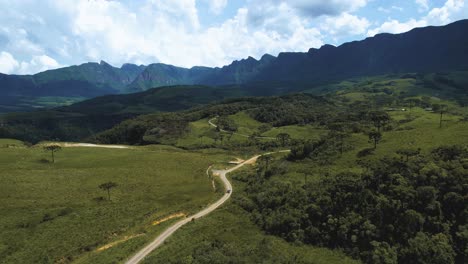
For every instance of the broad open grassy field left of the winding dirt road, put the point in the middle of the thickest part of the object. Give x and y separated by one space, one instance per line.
56 212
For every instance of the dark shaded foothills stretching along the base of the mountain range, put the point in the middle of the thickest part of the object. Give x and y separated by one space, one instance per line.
84 119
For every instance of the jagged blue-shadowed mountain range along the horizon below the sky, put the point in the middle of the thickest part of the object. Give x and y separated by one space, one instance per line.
428 49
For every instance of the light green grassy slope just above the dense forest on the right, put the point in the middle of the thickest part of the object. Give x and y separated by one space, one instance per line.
419 129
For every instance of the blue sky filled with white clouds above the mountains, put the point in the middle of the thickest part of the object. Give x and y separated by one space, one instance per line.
37 35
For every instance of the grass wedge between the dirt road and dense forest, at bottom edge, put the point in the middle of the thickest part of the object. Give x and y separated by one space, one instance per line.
230 225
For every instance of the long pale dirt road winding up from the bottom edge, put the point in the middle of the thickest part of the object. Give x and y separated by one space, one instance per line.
168 232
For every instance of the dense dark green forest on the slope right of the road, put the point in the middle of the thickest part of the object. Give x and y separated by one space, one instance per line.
413 210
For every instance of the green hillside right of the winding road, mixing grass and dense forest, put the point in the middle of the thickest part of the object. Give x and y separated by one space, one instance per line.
377 169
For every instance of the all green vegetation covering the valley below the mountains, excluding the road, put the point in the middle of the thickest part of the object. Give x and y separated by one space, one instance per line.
377 171
